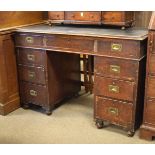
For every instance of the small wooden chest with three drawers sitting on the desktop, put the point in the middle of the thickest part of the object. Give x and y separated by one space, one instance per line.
116 18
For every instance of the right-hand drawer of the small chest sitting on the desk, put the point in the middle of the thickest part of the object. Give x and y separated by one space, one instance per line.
112 16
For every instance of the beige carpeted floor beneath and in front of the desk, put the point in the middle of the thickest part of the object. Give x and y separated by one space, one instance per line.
70 123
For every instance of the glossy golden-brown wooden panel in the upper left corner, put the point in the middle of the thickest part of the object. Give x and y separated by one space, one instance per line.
16 18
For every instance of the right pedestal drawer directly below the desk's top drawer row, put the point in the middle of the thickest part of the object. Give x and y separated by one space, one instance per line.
117 68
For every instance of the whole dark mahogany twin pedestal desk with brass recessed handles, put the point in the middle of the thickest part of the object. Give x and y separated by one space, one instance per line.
49 69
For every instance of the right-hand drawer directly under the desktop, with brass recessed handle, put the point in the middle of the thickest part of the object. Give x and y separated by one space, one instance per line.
119 48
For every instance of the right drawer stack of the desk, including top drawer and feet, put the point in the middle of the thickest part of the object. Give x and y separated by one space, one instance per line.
119 83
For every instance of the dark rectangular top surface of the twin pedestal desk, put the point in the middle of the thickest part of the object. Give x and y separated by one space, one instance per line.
128 33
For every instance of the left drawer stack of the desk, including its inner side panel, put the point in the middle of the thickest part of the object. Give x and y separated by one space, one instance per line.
45 78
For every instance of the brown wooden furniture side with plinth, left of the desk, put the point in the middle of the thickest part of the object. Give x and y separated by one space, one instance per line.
9 95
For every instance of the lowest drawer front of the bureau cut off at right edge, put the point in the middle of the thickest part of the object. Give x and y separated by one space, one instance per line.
150 112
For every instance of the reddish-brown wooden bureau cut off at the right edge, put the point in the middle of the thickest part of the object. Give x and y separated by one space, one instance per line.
147 130
